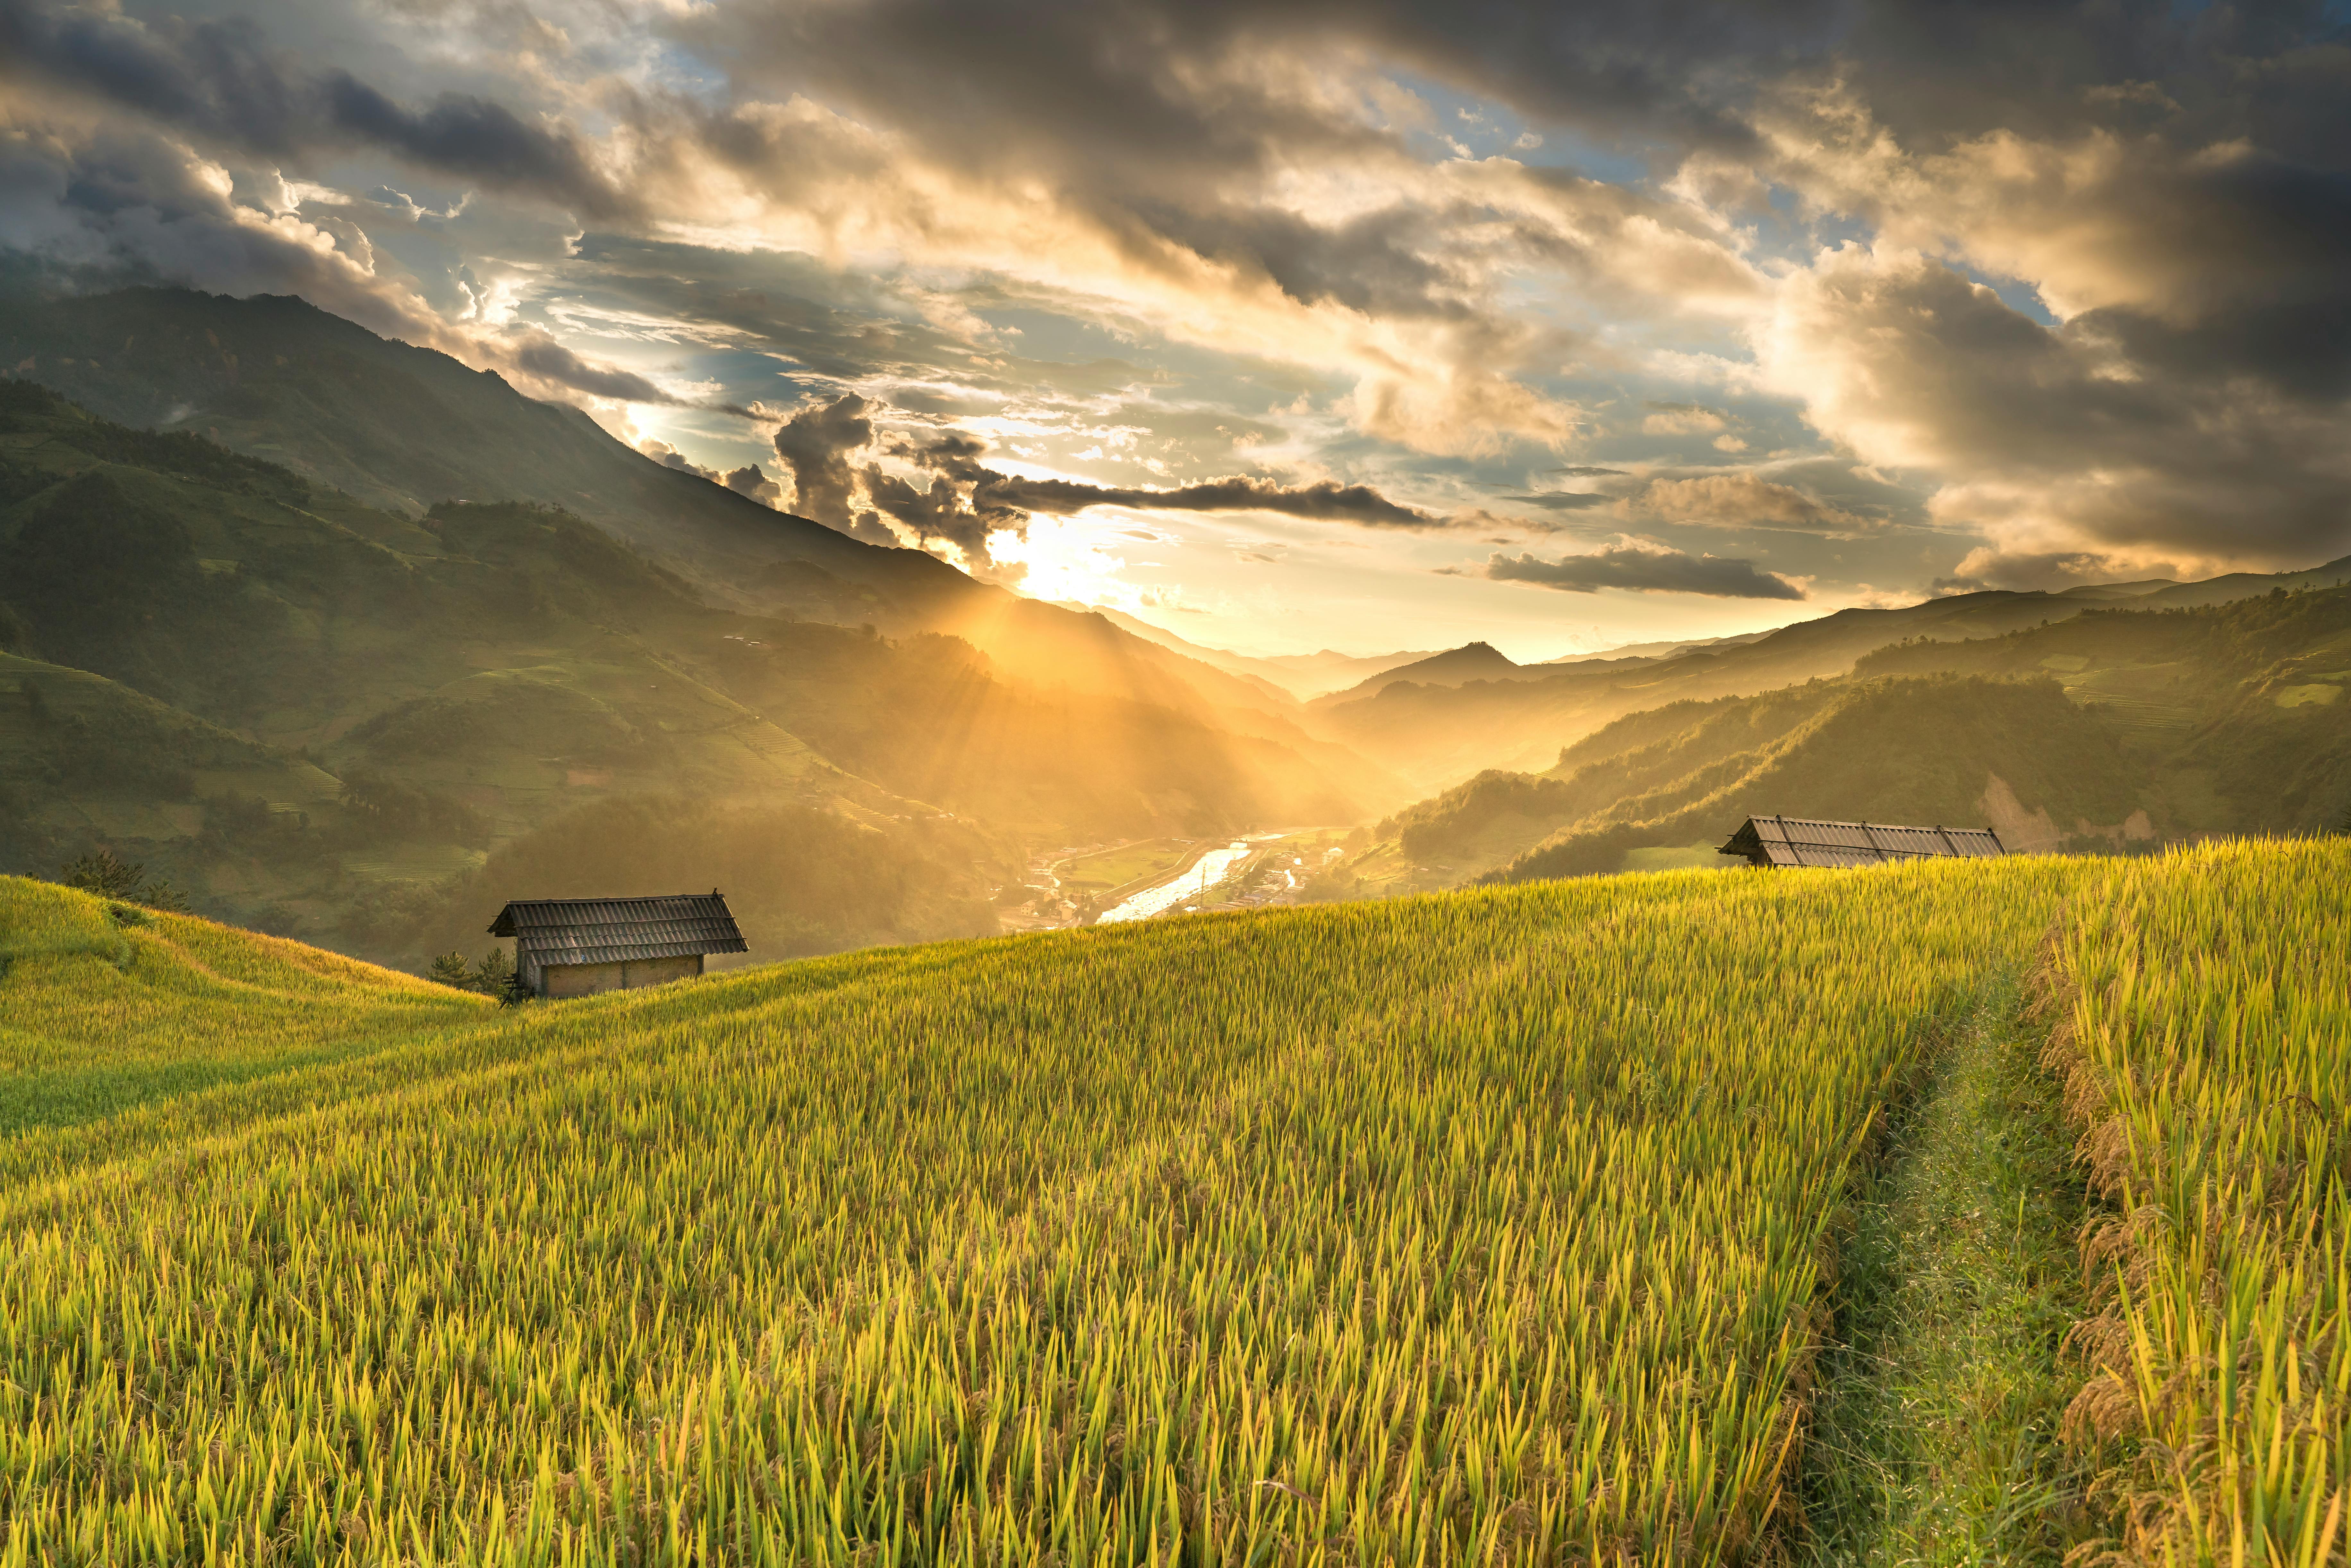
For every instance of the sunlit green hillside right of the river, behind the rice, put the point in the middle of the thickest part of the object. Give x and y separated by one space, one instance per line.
2176 723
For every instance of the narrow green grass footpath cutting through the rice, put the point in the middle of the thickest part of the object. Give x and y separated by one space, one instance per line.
1941 1402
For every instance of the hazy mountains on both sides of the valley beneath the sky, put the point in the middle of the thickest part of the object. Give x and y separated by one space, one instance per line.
354 643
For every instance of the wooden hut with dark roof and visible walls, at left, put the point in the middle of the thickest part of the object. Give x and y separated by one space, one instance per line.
584 946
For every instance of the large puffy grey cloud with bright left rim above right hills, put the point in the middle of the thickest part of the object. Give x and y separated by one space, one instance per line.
2058 438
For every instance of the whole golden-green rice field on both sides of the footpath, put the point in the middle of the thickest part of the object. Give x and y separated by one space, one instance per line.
1463 1228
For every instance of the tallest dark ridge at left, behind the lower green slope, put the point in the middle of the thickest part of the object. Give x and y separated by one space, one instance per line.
408 429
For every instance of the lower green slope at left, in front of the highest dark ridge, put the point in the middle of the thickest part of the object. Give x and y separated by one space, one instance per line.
417 692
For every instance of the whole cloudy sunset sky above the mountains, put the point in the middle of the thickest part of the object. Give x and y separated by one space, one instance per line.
1297 326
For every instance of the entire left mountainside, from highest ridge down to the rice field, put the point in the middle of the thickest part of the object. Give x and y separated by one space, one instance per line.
330 716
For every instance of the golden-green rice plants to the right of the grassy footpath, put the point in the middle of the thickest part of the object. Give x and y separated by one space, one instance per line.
2204 1026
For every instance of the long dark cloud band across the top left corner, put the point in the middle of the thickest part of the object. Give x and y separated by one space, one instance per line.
220 81
